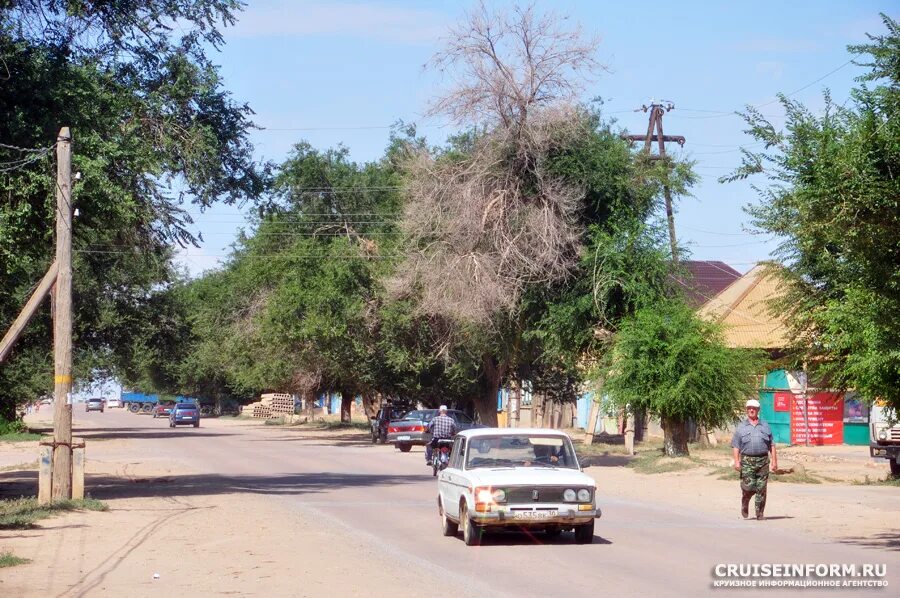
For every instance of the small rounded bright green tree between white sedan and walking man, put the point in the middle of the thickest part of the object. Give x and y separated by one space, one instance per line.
669 363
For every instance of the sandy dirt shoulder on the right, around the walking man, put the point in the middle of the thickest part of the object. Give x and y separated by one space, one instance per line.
827 492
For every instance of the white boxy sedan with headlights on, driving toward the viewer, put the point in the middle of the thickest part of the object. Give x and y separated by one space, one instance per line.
516 478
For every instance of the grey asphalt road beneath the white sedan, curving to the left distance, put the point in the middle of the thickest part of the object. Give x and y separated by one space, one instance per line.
387 499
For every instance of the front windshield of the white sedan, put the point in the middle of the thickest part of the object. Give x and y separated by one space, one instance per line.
520 450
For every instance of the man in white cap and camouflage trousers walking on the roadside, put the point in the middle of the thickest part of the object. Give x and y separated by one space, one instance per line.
752 444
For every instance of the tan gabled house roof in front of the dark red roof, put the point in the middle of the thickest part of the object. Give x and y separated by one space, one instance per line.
742 308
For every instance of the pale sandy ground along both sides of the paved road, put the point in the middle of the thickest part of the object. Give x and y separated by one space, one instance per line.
202 544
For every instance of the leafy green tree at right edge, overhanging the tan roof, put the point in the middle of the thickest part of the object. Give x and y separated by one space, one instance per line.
834 197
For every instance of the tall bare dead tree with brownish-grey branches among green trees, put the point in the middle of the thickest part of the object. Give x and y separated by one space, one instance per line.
483 227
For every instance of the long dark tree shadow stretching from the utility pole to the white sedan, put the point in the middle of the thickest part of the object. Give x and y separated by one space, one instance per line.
24 483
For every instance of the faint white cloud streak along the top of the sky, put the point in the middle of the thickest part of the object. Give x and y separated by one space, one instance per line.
403 25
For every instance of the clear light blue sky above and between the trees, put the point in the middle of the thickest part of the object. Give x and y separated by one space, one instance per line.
341 72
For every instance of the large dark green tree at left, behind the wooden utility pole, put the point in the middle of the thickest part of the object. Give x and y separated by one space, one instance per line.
152 129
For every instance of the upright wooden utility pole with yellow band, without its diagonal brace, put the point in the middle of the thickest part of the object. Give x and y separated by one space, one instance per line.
62 322
